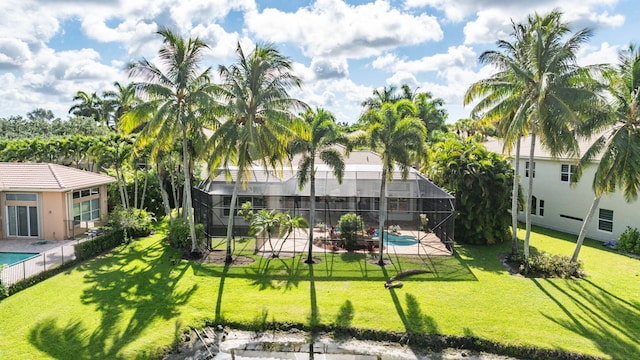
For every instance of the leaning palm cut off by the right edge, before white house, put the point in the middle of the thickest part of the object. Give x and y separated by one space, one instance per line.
619 145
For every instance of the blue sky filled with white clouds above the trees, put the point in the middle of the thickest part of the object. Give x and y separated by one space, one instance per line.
341 49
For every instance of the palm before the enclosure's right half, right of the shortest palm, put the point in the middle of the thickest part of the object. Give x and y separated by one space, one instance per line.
399 137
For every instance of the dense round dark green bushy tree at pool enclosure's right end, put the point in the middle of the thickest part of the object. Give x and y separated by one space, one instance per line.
482 183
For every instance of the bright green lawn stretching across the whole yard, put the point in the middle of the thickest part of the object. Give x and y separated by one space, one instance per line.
133 303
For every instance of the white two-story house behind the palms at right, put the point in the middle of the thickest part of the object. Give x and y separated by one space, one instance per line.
558 204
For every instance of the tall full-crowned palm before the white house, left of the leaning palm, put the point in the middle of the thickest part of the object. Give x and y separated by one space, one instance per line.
539 89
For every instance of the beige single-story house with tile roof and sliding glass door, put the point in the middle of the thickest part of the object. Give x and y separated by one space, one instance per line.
49 201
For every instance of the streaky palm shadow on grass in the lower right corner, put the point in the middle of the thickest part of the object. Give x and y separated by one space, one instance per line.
609 321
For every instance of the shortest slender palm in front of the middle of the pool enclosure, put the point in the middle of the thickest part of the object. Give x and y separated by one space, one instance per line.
323 134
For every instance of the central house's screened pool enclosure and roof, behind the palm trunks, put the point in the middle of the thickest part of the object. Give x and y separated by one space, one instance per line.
415 207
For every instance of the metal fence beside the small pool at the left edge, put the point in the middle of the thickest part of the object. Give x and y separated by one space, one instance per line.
37 264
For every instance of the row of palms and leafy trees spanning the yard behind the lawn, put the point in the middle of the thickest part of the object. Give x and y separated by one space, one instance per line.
175 117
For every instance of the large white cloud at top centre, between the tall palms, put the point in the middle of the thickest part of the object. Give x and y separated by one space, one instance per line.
334 28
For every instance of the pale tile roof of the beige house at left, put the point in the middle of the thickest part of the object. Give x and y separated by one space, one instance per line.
47 177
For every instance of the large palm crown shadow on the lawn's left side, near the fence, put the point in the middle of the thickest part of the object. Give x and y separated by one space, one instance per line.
132 280
